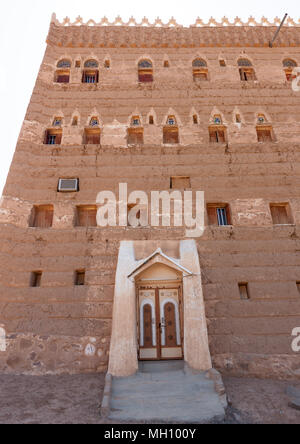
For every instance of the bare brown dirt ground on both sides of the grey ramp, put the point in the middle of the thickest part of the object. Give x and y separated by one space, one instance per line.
76 399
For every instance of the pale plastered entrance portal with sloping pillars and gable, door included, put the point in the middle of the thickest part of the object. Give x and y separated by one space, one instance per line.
159 311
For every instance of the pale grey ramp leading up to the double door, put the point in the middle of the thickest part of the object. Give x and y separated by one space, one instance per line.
166 392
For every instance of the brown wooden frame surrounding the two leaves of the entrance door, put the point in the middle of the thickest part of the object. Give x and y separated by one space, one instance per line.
156 286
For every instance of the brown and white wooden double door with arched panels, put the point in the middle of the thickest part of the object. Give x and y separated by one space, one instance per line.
160 323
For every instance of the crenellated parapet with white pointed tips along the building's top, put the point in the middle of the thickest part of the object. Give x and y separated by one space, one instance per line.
143 34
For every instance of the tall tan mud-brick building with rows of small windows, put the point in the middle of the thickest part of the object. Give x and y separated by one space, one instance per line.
207 107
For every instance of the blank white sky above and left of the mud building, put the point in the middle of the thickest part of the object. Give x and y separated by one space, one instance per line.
24 27
